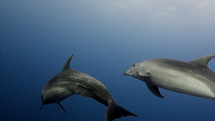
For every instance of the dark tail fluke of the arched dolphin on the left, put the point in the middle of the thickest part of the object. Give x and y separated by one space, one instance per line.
115 111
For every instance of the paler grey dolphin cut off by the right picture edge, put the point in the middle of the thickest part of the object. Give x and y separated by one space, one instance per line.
193 78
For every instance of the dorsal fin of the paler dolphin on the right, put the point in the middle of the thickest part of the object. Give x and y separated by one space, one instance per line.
203 61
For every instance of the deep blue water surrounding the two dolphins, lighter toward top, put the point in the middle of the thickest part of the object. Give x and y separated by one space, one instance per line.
106 37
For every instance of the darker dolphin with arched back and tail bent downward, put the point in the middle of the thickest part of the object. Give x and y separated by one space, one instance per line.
70 82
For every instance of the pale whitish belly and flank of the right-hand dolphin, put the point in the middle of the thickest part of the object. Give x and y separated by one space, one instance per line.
183 82
